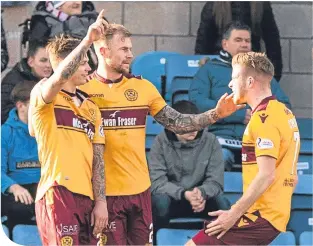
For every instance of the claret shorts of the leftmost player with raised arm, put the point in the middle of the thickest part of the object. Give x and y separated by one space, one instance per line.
63 218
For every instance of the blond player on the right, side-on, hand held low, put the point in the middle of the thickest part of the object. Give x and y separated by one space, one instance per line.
270 149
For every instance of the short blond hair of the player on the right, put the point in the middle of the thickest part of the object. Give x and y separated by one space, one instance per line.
259 62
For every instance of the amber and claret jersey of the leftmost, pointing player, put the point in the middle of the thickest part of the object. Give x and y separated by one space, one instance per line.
65 134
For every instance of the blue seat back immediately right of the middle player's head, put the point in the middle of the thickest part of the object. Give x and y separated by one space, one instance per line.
151 65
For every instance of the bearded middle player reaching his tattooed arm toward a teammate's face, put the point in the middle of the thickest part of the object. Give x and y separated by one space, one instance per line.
124 102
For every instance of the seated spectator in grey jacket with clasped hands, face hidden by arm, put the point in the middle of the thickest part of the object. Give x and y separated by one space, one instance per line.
187 174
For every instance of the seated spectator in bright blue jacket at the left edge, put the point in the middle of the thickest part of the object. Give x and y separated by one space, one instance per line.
20 168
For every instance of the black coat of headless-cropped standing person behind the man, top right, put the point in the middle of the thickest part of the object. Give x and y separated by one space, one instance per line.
209 42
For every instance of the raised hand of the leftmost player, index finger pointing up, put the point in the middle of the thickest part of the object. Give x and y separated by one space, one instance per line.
97 29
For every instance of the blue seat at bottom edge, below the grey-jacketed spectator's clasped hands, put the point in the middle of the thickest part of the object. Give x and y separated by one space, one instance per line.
174 236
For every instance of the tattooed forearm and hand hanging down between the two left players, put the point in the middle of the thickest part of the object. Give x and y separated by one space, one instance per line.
99 215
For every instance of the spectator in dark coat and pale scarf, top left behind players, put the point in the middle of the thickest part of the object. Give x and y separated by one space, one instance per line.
51 18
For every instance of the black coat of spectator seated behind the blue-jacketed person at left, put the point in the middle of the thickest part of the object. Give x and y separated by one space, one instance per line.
19 73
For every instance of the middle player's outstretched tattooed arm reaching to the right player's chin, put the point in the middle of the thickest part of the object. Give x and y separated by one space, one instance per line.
183 123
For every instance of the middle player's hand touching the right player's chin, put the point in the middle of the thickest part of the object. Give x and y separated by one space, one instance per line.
226 106
